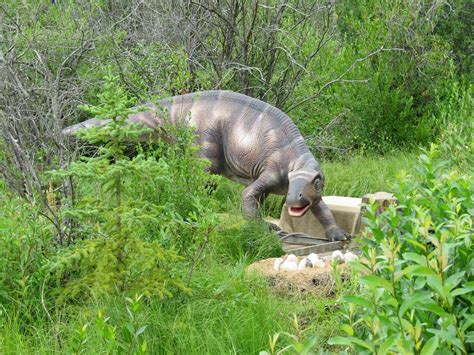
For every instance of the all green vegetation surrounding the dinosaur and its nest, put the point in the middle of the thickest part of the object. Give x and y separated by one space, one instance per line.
115 246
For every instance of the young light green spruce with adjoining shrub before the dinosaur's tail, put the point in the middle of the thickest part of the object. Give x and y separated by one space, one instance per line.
132 214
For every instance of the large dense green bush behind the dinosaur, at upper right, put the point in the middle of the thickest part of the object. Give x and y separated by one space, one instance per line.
387 100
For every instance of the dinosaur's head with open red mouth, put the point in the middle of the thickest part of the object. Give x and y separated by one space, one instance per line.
304 189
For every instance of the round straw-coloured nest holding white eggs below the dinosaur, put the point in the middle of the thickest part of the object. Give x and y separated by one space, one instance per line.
312 274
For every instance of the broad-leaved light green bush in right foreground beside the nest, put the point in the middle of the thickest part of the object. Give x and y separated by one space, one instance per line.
417 267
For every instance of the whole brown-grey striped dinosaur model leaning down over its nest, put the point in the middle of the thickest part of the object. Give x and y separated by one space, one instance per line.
250 142
